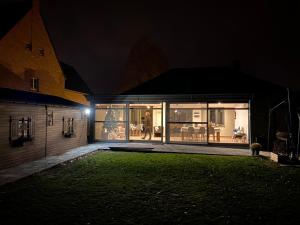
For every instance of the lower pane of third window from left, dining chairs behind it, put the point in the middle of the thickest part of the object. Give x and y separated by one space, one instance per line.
188 132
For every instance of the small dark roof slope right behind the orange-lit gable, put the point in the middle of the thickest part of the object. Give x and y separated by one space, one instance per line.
73 79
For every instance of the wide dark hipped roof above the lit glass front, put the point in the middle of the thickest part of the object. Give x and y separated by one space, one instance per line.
203 80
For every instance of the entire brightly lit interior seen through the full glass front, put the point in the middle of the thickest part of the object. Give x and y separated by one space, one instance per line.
173 123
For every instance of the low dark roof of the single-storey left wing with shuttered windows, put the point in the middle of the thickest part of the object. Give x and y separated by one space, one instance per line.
33 97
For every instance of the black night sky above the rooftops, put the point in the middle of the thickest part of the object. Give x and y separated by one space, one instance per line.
97 36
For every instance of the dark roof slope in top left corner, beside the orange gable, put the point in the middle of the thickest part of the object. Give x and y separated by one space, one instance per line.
11 13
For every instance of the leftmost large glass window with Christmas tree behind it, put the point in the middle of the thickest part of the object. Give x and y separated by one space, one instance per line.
110 122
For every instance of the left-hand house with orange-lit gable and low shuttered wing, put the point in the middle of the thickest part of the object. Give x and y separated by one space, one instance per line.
42 100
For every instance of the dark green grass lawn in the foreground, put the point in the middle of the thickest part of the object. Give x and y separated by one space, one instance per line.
153 188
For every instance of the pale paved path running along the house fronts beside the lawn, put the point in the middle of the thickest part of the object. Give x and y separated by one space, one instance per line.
27 169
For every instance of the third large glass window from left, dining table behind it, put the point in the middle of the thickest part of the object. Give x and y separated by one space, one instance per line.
188 122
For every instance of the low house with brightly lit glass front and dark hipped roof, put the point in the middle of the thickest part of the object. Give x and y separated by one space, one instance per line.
207 105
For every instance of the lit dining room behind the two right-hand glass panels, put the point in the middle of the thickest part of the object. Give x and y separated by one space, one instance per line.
209 123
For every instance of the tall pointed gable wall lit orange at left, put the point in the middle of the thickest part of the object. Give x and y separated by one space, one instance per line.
17 58
